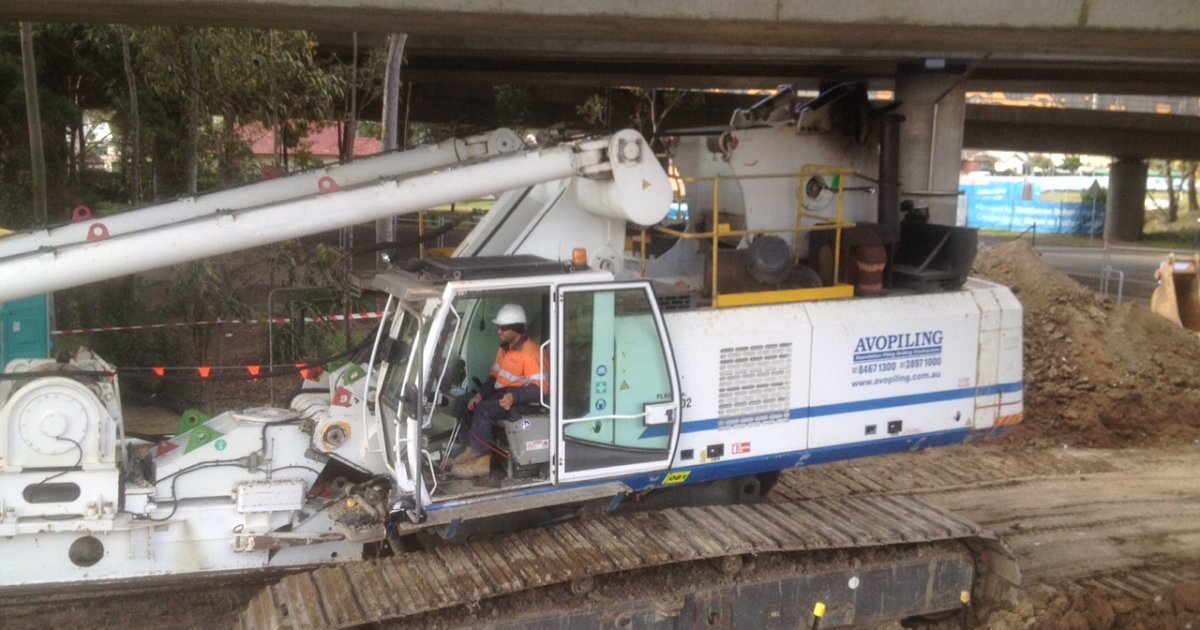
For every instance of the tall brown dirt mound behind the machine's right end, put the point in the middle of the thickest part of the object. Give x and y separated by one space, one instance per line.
1096 374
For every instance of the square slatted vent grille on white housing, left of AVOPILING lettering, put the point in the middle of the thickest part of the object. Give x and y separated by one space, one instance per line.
755 387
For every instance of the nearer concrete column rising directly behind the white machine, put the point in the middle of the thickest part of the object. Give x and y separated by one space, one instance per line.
934 106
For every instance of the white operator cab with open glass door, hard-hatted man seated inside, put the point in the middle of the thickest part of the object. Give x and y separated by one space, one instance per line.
614 395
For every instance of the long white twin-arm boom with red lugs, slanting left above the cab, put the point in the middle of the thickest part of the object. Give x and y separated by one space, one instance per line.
292 208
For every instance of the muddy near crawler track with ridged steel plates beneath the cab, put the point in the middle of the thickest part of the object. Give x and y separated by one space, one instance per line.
407 587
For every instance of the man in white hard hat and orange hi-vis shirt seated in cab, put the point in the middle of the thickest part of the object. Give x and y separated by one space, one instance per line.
515 380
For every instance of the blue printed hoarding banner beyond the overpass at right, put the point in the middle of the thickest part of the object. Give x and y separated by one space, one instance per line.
1016 206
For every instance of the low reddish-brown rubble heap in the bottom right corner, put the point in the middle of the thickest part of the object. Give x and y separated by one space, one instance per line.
1099 609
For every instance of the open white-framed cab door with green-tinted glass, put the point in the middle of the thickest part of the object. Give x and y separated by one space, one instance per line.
615 382
